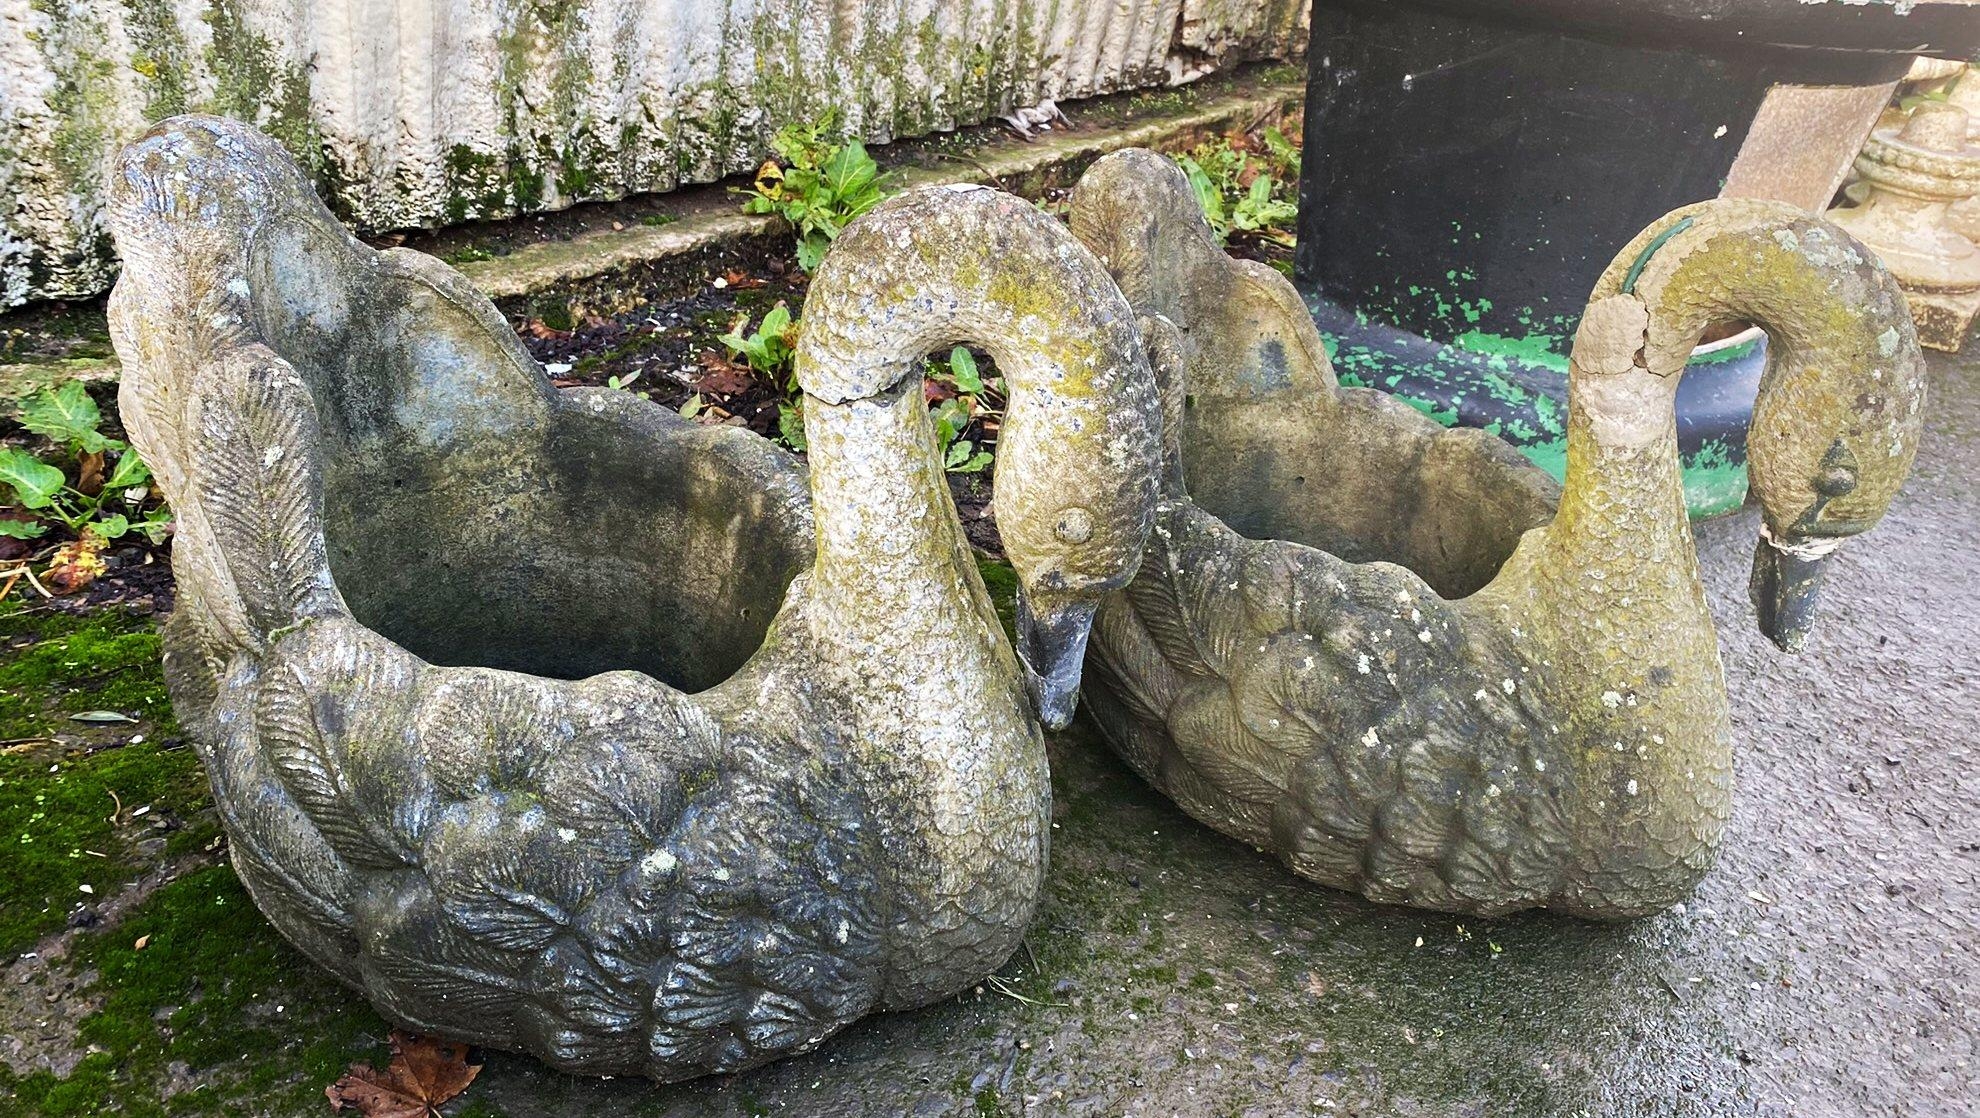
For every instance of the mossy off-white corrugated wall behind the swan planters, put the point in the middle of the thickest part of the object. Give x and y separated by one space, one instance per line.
443 112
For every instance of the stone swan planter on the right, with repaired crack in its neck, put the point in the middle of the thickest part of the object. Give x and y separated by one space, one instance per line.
1373 648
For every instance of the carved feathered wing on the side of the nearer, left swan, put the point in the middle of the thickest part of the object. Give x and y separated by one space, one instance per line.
593 872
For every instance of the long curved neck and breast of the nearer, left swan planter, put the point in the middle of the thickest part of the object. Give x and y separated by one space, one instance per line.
898 614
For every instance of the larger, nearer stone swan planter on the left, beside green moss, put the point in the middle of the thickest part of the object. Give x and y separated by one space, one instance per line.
510 713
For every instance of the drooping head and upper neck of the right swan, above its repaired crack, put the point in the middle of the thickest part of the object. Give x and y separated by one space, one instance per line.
1842 401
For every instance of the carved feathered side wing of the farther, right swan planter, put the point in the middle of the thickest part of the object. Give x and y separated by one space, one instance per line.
1337 713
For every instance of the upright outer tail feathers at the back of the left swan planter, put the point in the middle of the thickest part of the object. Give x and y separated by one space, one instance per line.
227 424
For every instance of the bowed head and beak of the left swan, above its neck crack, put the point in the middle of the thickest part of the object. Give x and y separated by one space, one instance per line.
1080 446
